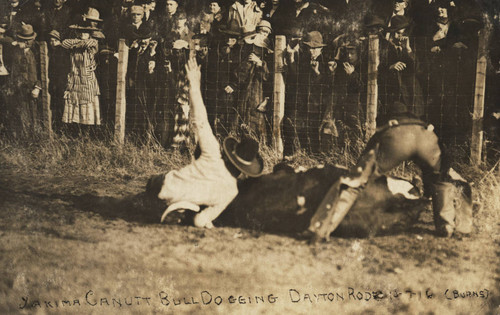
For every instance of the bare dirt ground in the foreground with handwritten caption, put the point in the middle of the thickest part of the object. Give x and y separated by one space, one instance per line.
85 245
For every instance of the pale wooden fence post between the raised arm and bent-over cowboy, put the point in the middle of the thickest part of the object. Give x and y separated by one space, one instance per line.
278 93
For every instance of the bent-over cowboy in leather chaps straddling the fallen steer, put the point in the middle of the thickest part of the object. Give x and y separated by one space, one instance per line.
401 137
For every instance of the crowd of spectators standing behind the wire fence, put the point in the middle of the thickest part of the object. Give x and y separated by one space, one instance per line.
427 53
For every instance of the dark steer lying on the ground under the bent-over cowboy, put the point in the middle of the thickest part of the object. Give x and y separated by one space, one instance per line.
285 201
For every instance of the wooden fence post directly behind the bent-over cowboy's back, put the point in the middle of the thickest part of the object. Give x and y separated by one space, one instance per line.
372 85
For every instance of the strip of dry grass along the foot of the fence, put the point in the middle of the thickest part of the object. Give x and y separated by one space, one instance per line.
104 157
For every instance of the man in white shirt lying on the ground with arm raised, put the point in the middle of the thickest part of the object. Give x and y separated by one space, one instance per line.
208 184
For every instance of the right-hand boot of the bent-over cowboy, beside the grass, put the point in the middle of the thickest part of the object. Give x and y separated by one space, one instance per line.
443 208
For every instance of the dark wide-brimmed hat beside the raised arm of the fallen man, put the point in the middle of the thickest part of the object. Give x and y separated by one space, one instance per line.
244 155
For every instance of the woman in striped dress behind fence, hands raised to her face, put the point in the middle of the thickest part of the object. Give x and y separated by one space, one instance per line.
82 91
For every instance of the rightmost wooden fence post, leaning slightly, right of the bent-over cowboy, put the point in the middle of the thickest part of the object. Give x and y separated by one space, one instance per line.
478 113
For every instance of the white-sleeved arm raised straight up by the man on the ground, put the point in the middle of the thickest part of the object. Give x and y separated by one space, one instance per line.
208 142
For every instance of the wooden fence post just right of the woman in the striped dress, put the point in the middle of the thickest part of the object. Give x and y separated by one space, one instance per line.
121 86
